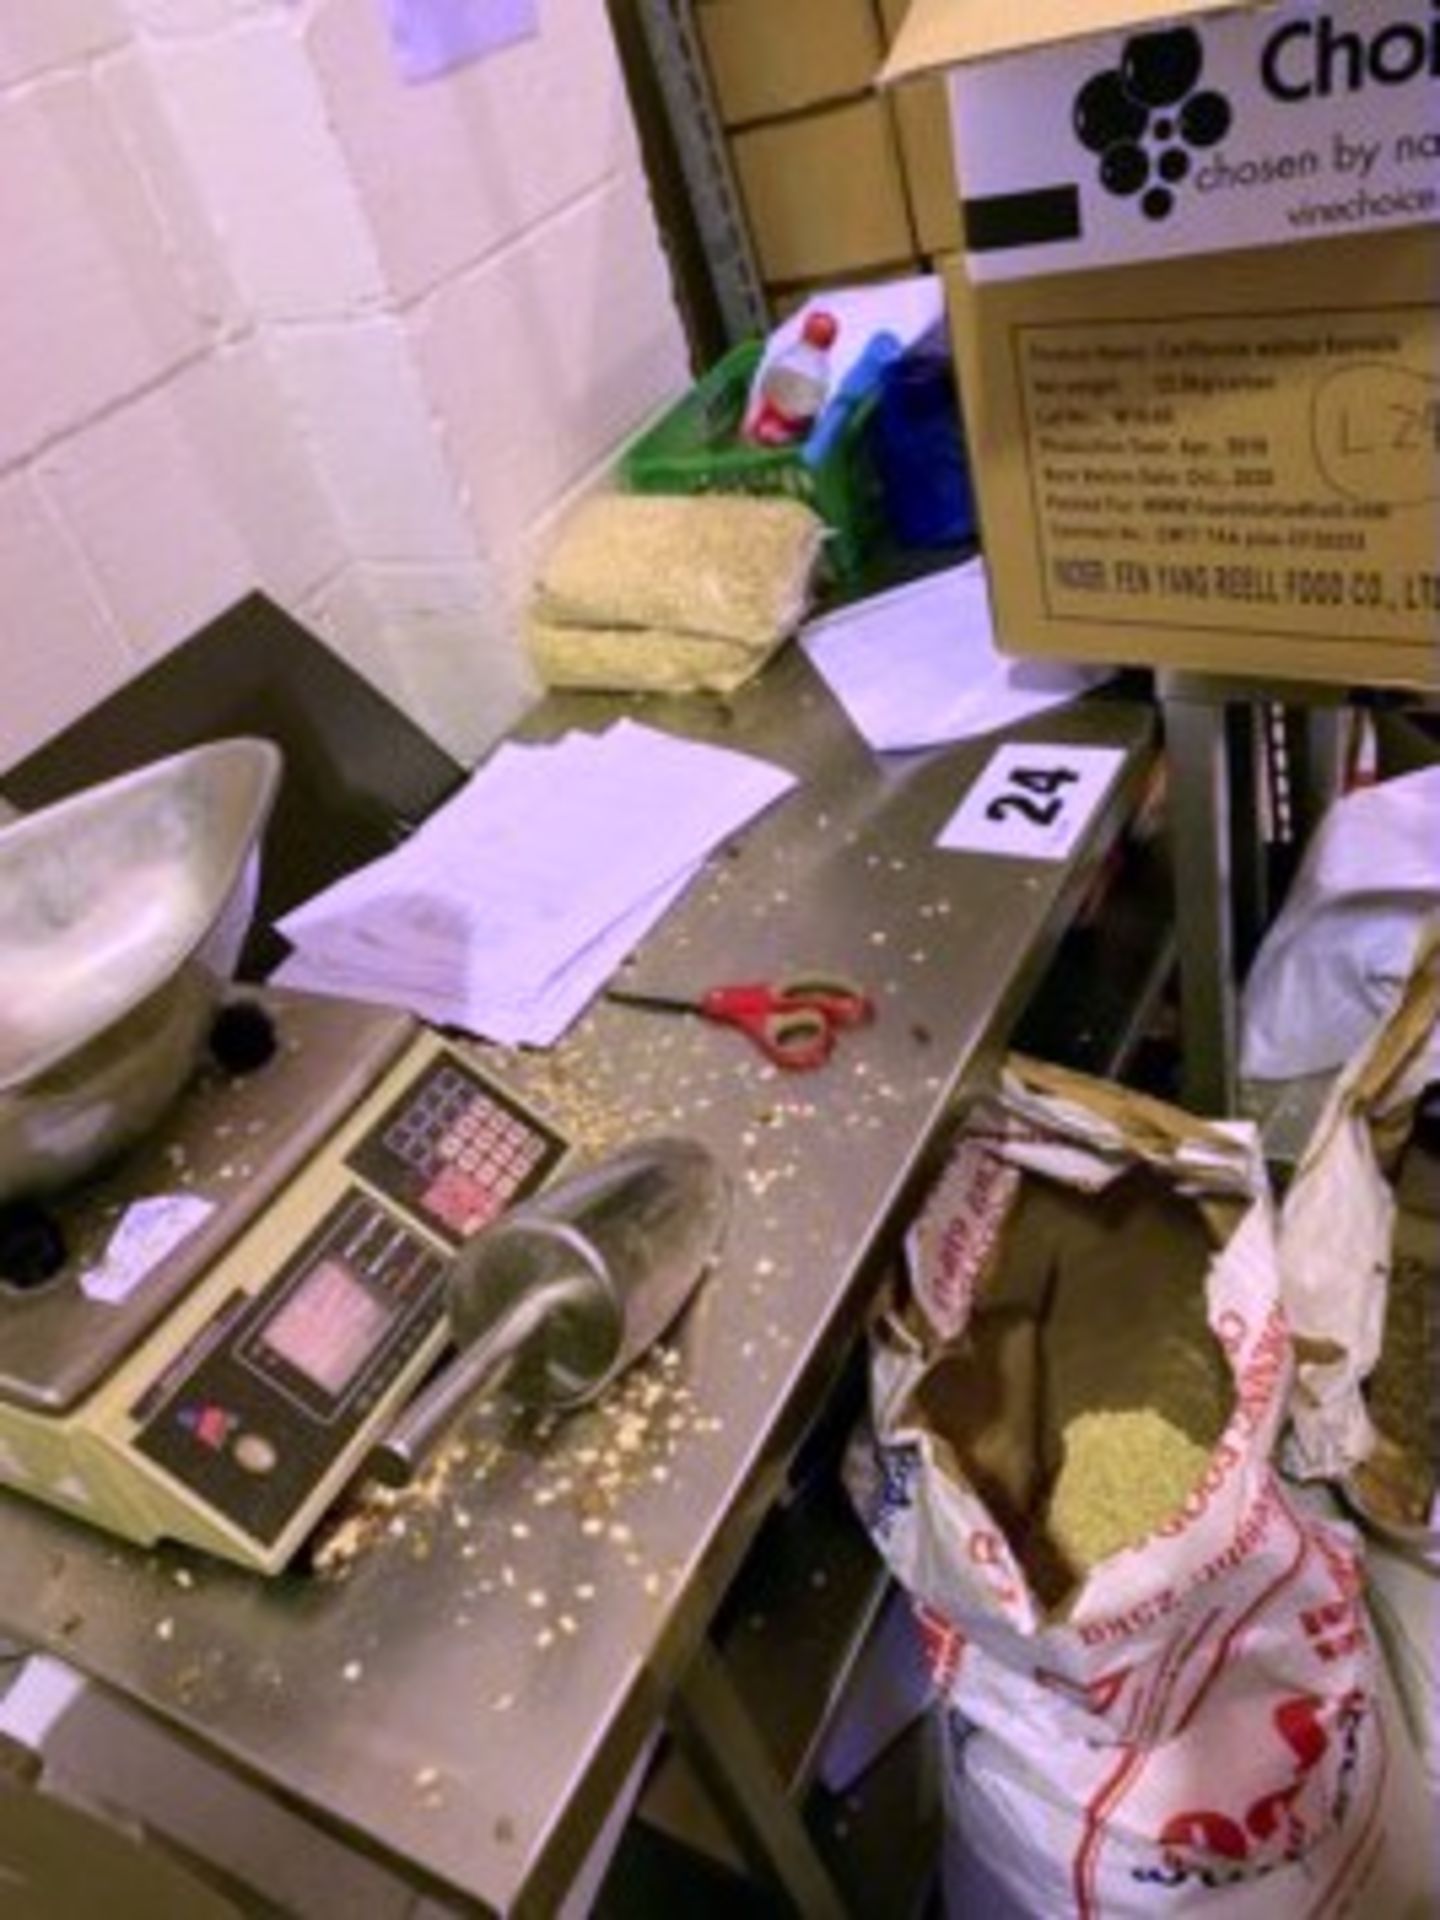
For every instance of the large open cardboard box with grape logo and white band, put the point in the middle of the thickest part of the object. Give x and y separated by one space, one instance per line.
1197 327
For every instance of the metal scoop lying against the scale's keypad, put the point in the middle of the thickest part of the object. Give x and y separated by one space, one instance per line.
565 1293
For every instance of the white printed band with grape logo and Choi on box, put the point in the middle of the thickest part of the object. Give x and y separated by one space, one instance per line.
1257 128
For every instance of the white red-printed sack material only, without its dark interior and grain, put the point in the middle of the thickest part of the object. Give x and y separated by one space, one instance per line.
1193 1727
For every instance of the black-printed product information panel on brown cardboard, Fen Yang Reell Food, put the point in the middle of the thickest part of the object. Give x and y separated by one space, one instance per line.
1272 473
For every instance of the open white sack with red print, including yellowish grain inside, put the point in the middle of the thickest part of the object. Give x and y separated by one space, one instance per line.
1155 1669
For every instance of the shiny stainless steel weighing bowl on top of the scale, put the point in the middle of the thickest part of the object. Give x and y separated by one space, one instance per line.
122 917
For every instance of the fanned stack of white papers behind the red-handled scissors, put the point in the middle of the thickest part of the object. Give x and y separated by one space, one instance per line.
519 898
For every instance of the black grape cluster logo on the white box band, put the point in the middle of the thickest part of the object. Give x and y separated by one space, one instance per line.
1147 118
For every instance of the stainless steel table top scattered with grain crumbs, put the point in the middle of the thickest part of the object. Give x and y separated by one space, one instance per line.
468 1691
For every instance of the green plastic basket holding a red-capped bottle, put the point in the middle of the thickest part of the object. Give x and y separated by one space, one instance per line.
696 448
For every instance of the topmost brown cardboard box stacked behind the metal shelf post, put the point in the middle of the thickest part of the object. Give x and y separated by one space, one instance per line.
769 60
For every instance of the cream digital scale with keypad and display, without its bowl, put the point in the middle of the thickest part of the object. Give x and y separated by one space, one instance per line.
254 1291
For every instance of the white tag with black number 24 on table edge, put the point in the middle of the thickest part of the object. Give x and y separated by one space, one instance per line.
1032 802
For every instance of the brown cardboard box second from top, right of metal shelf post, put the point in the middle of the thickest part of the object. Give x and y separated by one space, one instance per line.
823 193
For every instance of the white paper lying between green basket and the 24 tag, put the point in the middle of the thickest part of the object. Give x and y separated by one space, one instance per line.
919 667
